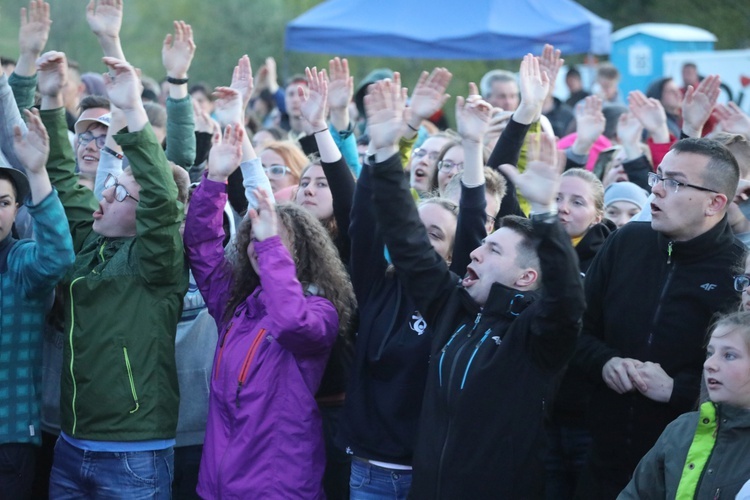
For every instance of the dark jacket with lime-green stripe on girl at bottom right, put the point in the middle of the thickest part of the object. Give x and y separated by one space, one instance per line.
701 455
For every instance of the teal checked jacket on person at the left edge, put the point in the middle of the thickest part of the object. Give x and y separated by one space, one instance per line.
29 271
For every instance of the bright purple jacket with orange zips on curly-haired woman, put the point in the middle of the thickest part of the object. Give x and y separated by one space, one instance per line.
264 437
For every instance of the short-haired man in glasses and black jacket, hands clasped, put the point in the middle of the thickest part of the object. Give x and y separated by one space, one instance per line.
652 291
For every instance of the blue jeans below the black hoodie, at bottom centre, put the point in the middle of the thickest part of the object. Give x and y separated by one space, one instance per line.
370 482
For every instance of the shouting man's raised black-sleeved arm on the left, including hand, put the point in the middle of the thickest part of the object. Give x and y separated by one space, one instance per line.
424 273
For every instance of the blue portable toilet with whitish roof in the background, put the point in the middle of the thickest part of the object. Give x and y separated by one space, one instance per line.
638 50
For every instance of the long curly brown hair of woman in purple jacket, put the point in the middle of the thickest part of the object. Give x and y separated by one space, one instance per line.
315 258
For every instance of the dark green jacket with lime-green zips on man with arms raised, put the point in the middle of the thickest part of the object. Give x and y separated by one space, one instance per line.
123 300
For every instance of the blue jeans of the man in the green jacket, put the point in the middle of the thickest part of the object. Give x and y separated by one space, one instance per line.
78 473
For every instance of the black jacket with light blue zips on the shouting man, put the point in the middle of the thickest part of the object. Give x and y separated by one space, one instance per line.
480 429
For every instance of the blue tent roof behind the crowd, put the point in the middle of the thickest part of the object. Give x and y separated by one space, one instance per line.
448 29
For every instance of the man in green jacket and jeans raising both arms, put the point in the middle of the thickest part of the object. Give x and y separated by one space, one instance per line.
119 389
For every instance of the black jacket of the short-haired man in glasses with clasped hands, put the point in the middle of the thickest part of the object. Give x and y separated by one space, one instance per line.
646 304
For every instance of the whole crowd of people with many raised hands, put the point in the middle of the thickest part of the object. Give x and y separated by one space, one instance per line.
324 291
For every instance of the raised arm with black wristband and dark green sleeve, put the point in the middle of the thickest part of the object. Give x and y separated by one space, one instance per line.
177 54
